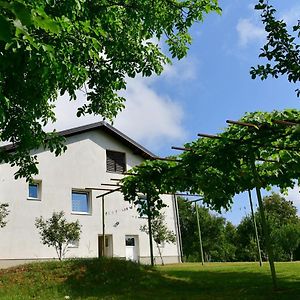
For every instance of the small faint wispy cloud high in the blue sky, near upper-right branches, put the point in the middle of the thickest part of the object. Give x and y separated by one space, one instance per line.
249 32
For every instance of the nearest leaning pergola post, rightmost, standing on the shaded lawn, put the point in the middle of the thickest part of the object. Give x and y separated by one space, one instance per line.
264 225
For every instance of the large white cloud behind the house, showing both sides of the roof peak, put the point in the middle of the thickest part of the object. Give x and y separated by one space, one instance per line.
149 118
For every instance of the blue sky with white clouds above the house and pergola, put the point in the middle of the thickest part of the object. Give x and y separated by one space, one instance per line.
212 84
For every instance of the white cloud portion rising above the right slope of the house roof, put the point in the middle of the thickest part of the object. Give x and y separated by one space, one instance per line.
150 117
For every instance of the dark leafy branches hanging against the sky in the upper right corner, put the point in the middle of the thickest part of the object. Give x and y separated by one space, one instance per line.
281 48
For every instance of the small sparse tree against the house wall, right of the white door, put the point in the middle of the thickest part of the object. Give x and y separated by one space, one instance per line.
160 233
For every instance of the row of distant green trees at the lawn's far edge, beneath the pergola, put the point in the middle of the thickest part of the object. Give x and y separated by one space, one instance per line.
222 241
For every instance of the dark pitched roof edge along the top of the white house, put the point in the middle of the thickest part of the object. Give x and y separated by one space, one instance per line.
112 131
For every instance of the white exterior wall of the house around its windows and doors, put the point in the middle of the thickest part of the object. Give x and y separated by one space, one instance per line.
83 165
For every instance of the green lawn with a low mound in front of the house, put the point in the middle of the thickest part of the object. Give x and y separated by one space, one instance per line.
116 279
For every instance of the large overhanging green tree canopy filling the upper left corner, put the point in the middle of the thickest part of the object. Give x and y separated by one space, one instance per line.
53 47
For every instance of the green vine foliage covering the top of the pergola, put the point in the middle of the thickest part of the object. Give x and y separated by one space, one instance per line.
238 159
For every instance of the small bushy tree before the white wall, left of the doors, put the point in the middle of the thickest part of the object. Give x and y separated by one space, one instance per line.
57 232
